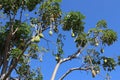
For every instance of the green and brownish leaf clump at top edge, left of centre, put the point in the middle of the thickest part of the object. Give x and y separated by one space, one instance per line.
50 12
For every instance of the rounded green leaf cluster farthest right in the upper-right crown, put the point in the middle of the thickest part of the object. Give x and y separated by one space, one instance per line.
109 37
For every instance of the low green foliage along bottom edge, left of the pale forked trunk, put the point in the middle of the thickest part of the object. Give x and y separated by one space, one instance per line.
26 74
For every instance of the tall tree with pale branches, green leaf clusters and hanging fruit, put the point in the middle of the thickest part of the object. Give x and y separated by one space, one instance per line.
21 35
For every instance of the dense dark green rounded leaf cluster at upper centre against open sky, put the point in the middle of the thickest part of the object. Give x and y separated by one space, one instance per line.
74 21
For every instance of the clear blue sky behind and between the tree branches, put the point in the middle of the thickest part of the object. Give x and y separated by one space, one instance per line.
94 10
